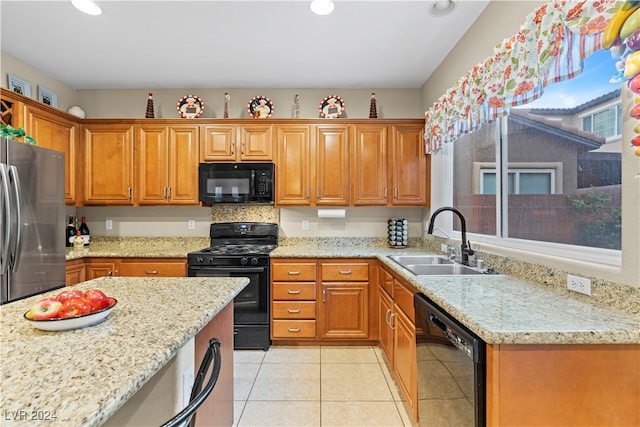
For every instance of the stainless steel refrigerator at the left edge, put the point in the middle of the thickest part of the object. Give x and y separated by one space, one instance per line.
32 227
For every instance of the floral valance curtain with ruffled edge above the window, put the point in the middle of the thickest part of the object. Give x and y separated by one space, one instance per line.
550 46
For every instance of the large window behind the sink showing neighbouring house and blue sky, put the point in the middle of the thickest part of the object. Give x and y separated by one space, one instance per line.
534 175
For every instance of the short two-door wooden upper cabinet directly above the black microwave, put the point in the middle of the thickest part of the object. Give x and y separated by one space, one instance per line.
248 142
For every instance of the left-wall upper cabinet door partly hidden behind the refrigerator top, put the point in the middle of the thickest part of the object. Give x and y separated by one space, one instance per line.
62 135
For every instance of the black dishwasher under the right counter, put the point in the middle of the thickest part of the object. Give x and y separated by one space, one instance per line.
451 369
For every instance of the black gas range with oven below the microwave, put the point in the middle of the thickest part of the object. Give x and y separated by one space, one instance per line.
241 249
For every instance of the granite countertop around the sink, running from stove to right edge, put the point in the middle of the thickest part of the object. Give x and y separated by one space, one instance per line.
500 309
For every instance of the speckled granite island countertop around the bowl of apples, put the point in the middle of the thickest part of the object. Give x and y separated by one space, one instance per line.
84 376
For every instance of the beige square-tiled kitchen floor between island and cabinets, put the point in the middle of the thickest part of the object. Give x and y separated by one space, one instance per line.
315 386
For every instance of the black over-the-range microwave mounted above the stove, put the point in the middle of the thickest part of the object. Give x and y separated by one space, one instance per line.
236 183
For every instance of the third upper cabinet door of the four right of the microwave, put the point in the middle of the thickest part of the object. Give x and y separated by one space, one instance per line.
369 174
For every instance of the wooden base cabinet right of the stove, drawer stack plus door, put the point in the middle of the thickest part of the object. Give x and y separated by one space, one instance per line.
319 300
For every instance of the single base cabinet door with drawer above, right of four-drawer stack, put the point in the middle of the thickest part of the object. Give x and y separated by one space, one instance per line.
344 301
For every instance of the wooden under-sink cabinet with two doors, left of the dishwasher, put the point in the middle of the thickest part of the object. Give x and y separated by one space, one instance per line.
397 337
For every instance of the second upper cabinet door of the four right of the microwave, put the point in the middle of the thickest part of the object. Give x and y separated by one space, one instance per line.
332 165
